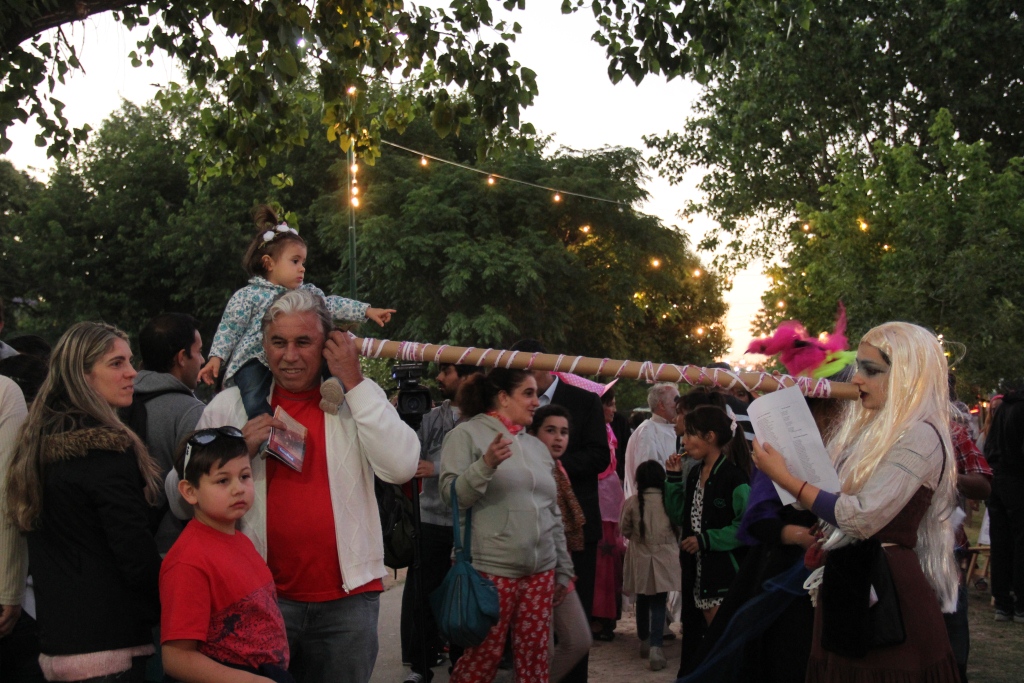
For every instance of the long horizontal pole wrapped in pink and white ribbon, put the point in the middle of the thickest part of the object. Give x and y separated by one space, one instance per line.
579 365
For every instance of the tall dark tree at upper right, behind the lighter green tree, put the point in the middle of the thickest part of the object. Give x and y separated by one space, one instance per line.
780 115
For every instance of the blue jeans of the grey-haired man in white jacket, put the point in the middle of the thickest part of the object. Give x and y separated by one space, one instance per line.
332 642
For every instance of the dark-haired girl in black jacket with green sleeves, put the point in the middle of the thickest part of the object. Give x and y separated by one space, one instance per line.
711 505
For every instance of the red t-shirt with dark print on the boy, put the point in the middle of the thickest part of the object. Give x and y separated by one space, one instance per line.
216 588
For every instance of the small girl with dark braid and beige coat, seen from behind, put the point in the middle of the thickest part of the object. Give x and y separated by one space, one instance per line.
652 566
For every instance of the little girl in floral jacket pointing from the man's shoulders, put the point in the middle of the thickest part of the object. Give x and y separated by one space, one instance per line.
276 263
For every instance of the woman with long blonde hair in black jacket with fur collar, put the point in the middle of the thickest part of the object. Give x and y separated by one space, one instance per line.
81 486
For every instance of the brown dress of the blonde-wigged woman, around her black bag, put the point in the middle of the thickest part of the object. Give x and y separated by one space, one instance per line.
926 656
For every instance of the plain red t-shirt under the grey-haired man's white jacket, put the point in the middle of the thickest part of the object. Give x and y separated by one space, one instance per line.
302 540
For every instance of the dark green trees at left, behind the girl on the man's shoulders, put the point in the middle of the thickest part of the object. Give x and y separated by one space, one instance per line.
120 234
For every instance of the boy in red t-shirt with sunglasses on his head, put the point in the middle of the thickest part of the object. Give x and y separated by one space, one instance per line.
221 620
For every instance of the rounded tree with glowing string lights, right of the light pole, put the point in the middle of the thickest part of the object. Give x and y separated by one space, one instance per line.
488 265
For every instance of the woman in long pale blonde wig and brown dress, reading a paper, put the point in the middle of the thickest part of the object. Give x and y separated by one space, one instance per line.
898 477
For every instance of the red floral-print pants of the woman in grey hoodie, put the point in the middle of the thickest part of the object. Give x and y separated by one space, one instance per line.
526 604
